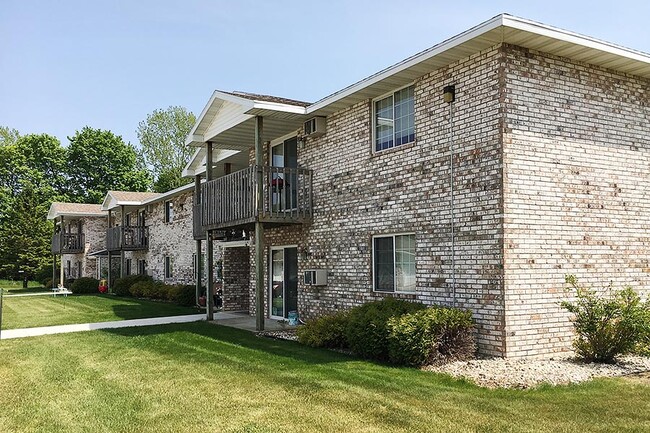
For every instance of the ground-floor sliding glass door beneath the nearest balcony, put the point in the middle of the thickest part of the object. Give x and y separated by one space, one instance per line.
284 282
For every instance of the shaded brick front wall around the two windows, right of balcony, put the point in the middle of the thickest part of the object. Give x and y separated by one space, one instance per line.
359 194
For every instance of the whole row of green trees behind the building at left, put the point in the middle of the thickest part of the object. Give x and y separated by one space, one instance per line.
36 170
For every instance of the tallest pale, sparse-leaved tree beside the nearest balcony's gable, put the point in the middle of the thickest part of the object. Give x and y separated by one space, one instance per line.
162 140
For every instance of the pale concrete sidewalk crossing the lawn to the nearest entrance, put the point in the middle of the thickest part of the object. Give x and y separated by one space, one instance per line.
63 329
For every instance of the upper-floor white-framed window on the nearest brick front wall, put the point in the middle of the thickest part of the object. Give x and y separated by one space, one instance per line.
394 119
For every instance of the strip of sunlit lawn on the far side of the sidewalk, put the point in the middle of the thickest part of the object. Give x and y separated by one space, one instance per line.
32 311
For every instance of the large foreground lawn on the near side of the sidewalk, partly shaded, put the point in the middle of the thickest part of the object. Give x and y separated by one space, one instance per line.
203 377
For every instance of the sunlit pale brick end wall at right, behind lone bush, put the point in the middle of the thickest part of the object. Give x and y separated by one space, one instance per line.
576 157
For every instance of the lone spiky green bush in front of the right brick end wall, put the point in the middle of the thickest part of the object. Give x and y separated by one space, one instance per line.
606 326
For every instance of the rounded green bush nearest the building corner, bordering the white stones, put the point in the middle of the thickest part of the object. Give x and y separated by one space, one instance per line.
431 335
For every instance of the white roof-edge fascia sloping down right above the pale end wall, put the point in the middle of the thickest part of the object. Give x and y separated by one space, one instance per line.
573 38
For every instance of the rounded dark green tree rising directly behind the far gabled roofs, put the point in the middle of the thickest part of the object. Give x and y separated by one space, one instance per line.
99 161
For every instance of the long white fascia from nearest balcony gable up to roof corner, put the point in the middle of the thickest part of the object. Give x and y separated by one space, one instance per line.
411 61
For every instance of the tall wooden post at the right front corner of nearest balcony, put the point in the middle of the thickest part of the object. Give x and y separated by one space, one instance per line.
259 228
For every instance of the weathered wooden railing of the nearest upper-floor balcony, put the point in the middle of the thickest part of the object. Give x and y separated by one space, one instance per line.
231 201
